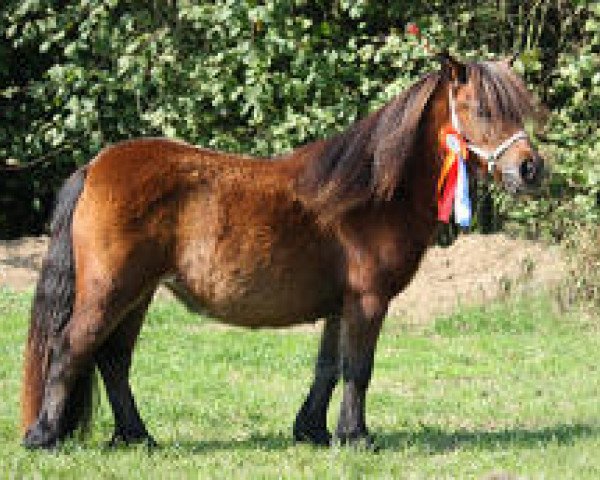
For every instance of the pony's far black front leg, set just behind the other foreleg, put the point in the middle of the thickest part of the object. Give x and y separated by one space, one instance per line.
311 421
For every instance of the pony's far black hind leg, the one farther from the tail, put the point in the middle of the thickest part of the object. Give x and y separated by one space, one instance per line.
114 362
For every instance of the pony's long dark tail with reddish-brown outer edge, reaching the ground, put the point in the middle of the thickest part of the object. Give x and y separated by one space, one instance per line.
51 311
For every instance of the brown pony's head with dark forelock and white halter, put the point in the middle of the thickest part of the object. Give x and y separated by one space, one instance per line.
488 105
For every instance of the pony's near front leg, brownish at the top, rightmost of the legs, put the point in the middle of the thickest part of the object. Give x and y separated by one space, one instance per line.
361 324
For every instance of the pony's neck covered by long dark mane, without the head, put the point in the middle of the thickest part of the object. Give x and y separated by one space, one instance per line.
392 153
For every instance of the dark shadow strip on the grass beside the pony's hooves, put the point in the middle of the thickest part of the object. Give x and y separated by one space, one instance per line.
430 439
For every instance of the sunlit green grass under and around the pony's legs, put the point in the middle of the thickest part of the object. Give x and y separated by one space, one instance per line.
512 388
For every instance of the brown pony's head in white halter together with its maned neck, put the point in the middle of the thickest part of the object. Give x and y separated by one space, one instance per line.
393 150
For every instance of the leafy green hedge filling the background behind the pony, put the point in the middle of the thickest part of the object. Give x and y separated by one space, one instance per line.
264 77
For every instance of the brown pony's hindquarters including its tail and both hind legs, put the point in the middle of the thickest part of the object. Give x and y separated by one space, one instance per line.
110 245
